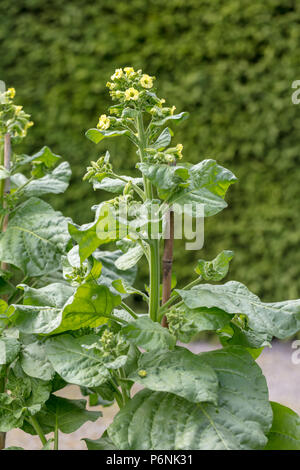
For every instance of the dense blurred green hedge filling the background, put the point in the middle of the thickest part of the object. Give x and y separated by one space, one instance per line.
229 63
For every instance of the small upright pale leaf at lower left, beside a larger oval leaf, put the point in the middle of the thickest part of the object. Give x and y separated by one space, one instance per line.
34 361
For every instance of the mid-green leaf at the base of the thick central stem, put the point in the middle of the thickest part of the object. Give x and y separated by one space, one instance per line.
149 335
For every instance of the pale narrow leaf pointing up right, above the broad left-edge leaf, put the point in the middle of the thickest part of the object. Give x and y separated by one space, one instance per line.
55 182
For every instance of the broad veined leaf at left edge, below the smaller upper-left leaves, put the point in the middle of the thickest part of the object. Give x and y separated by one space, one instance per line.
35 238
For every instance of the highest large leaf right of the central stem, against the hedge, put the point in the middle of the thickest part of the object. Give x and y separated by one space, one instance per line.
208 184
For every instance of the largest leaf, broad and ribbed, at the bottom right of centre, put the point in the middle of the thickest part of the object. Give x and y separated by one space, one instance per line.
158 420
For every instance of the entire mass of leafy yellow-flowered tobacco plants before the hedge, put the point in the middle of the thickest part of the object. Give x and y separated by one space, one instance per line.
66 314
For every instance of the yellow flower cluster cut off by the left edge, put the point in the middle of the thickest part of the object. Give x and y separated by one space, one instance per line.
12 117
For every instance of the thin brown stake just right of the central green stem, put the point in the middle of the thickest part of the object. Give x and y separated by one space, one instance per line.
168 263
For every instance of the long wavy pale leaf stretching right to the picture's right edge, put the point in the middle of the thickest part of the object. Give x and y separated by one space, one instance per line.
280 319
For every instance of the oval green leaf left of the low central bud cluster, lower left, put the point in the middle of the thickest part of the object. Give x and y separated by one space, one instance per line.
74 363
